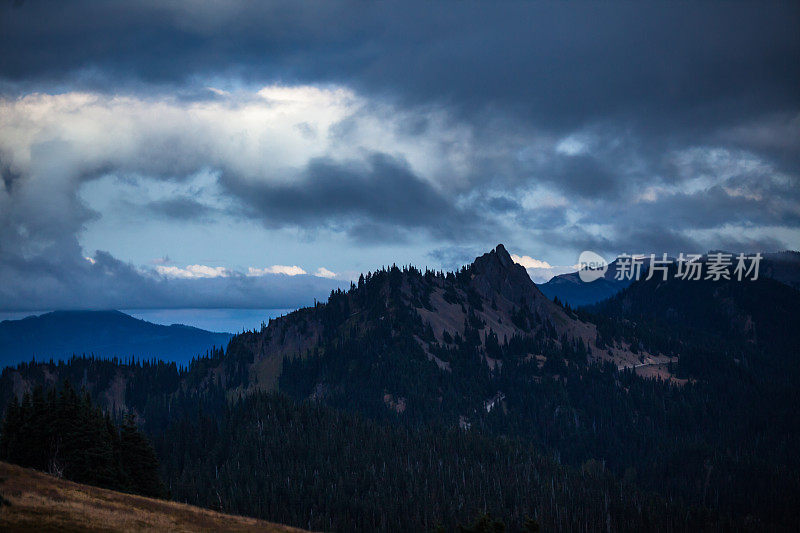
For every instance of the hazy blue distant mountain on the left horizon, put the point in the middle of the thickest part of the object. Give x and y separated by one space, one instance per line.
60 334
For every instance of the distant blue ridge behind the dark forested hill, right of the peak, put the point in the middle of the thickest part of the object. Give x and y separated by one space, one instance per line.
568 288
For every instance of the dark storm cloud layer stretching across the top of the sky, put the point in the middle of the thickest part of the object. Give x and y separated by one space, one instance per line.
561 64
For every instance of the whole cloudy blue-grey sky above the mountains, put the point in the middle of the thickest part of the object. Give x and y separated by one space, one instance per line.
209 154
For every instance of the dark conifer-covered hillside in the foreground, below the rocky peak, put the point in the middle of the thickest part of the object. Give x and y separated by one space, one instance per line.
304 463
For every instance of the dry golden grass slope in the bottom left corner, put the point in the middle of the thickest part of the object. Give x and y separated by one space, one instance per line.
39 502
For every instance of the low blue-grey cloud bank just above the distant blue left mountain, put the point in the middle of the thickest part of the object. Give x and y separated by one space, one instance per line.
64 282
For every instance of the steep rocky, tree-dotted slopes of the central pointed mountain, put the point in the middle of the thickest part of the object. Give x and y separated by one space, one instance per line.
421 343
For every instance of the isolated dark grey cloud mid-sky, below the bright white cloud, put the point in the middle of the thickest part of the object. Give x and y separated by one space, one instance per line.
380 193
